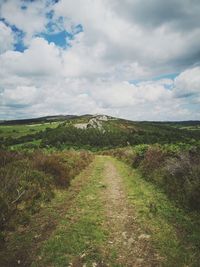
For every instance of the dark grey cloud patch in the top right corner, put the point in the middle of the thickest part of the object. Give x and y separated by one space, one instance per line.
174 13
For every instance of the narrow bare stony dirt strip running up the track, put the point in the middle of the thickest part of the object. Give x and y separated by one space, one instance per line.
132 245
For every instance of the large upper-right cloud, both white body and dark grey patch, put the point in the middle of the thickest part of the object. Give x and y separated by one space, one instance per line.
132 40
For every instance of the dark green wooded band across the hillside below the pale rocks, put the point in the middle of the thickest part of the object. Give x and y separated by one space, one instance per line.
117 133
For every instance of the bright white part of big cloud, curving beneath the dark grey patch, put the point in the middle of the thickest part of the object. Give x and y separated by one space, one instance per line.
128 41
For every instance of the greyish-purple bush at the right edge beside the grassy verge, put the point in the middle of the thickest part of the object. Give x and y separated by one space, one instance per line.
181 180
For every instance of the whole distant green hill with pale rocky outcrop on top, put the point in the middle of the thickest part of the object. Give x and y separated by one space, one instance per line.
95 131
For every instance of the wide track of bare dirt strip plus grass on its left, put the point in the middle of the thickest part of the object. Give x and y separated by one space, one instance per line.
93 225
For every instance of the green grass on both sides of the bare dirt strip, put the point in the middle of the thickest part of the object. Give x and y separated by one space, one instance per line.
71 228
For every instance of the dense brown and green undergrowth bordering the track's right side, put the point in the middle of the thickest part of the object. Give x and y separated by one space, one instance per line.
174 168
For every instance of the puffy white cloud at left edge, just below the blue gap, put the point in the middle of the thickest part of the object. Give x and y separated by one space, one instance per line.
39 59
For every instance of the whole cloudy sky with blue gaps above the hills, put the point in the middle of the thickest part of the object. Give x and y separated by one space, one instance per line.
133 59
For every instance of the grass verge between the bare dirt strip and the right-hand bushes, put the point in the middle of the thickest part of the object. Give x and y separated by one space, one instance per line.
175 235
